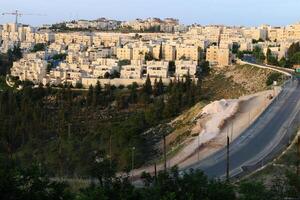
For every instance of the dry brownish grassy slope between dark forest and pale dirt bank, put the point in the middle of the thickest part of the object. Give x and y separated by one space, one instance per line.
226 83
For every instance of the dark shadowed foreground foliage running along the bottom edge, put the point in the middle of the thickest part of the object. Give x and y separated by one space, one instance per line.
33 183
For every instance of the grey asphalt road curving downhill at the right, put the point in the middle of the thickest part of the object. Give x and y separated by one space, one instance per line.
261 141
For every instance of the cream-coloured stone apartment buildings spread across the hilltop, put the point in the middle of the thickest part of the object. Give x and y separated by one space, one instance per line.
60 54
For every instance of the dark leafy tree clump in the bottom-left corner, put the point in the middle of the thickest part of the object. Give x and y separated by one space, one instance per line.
29 184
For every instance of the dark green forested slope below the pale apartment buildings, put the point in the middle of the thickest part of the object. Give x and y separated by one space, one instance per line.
64 129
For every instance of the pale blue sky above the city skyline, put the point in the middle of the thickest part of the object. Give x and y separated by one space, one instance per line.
229 12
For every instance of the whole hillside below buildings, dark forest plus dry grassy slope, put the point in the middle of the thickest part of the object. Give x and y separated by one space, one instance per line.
66 131
